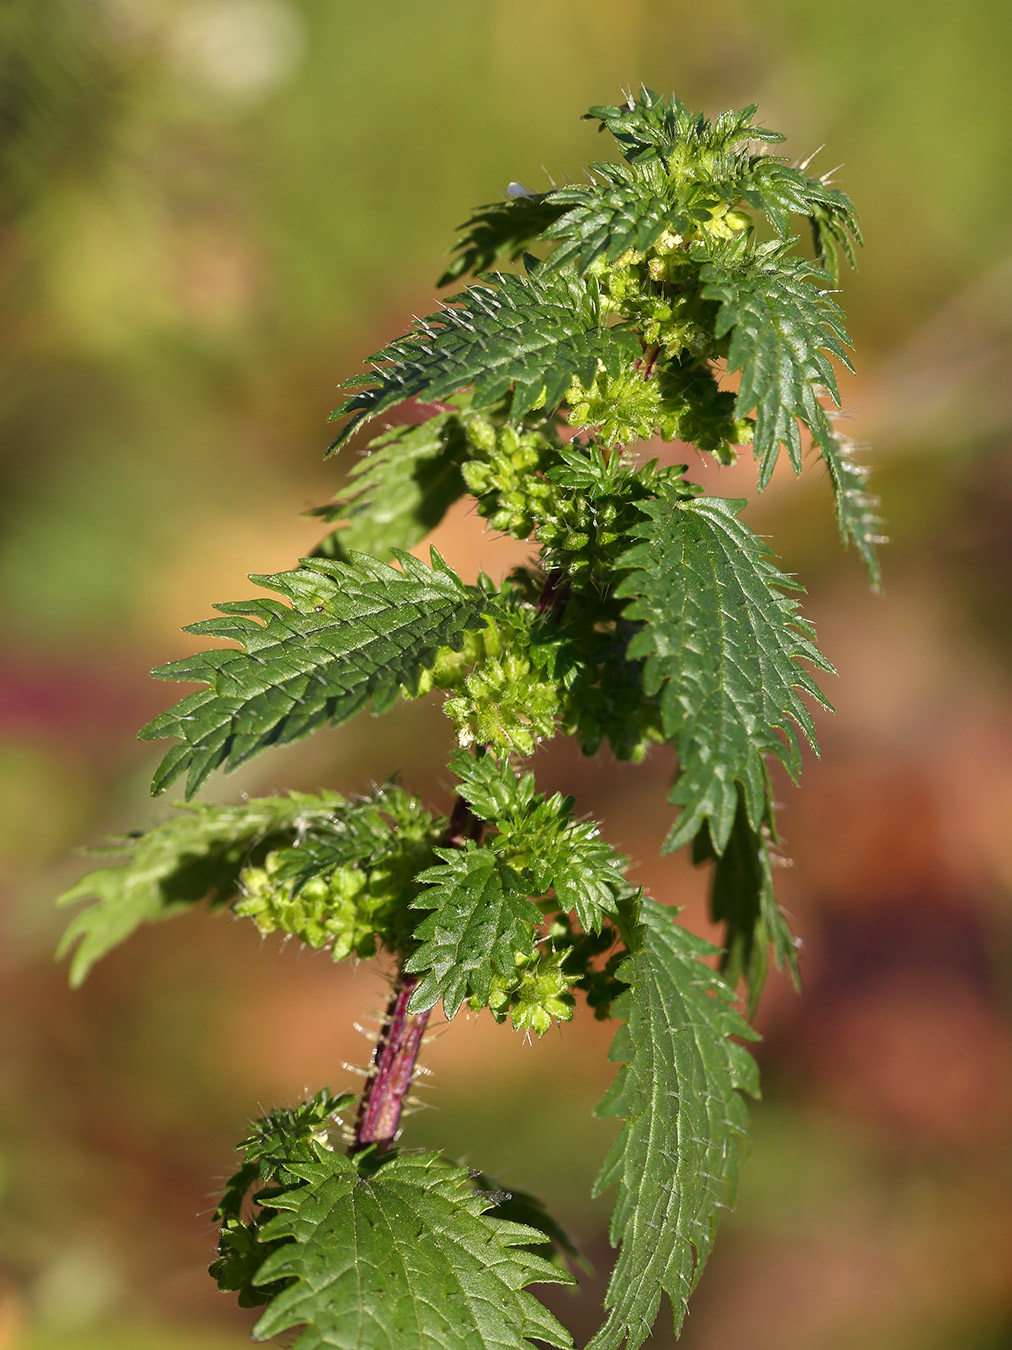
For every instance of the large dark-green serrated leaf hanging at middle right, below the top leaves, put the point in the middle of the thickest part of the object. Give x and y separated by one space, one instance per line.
724 645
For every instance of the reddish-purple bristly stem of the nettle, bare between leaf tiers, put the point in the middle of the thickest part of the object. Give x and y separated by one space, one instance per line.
396 1055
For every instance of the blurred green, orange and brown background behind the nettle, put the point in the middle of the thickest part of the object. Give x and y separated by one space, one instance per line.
210 213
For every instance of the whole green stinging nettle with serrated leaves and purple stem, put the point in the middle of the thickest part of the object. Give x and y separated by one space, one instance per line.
650 614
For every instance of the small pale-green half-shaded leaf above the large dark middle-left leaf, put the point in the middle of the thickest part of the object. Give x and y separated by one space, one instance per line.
400 491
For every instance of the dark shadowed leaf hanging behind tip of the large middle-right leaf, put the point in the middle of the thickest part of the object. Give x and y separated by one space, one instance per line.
743 898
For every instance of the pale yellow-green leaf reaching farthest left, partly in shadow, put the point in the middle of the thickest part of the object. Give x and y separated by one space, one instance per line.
175 866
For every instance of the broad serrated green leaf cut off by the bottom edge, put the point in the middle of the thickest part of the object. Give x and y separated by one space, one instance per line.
401 1256
